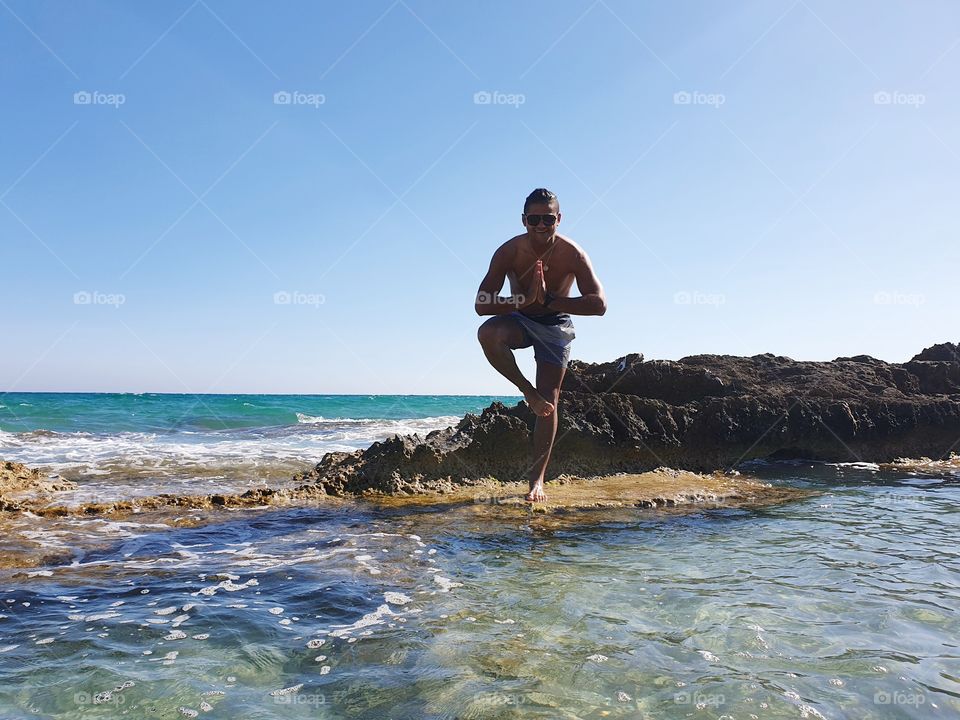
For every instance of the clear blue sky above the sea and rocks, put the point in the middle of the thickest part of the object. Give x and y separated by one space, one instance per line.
747 177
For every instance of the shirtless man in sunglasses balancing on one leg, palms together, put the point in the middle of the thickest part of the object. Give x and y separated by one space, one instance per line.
541 266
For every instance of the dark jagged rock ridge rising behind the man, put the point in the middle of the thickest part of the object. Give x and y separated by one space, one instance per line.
700 413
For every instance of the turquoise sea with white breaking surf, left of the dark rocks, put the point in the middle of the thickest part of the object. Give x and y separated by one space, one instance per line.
122 444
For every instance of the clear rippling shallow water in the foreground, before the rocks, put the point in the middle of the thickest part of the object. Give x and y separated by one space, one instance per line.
841 605
